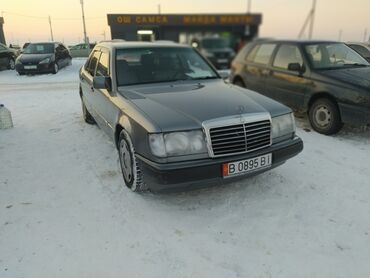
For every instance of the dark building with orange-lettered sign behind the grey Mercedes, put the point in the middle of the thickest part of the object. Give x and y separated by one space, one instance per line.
183 27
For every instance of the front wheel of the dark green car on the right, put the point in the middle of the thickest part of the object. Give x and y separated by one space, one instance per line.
325 117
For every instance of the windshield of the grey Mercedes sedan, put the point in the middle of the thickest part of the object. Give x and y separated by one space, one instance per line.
153 65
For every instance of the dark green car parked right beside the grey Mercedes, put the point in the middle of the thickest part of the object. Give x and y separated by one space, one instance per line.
328 80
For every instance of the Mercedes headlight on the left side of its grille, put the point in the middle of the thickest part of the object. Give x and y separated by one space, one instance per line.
177 143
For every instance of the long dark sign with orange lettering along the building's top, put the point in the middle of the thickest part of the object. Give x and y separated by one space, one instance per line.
170 19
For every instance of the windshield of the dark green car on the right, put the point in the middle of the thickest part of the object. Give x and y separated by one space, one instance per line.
333 56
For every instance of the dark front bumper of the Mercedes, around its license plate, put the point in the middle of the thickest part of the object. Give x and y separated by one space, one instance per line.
206 172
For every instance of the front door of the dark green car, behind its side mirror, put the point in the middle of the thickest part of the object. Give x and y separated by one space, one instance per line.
286 86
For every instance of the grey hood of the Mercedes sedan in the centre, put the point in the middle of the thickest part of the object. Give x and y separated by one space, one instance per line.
183 105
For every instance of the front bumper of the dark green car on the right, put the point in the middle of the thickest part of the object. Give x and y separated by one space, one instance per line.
354 114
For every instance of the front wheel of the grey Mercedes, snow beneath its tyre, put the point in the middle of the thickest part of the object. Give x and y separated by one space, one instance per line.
131 172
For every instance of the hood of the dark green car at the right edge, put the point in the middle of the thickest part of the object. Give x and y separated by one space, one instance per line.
358 77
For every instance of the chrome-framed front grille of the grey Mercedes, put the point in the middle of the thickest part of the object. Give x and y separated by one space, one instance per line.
240 138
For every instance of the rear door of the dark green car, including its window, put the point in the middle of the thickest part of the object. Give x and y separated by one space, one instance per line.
257 67
